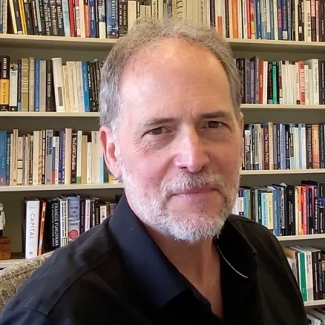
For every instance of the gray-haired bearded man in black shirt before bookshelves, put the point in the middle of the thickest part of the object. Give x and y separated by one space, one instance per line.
172 252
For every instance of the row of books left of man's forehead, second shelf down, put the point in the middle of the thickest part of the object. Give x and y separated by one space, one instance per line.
34 85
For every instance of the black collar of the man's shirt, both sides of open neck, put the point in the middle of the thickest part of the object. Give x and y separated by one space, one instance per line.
152 273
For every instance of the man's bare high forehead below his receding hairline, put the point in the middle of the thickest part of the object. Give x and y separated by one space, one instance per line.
174 73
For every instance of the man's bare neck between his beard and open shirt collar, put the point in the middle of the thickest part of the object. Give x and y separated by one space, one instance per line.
197 262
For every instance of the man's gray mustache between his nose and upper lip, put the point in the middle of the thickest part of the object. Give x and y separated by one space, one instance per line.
187 181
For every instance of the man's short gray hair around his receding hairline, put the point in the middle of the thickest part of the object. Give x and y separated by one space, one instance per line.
145 33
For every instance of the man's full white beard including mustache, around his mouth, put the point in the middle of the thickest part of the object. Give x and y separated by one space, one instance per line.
193 226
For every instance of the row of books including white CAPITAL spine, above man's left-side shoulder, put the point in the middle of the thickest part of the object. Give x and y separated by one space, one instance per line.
52 223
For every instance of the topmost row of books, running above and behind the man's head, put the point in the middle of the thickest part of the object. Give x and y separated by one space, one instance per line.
300 20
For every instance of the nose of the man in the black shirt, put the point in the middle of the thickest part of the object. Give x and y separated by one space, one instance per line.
191 152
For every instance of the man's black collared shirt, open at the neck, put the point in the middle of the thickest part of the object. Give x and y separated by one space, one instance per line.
115 274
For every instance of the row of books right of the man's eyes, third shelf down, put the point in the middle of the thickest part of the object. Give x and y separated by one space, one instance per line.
271 146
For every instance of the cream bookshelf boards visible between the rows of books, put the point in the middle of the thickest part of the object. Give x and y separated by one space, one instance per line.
76 48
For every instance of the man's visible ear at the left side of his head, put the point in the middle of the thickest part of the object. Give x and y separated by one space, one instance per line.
108 143
